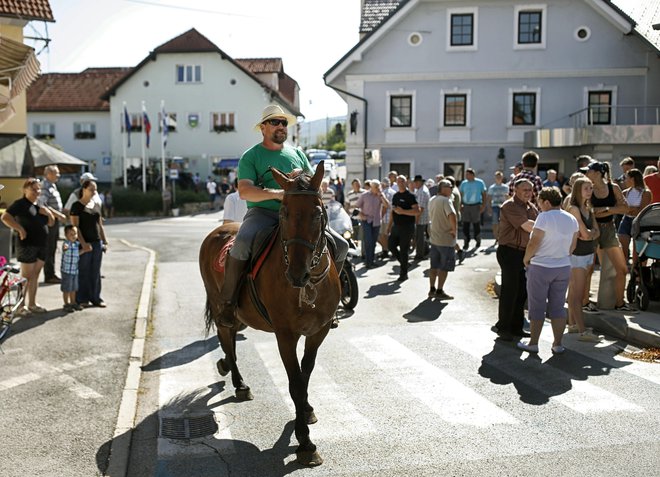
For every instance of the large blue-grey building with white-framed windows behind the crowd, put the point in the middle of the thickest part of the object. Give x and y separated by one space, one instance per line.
437 86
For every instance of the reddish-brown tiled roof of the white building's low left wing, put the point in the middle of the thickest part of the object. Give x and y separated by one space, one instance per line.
73 91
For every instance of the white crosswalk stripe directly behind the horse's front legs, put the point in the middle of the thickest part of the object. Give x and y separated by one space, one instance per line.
331 405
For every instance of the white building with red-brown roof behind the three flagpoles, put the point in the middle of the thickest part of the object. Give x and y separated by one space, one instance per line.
212 102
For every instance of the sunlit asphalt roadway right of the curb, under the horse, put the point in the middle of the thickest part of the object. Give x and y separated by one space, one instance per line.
404 386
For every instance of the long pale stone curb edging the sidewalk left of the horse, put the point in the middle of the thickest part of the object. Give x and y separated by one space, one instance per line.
121 442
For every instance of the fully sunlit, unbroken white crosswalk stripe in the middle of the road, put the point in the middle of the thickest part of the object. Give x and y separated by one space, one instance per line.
450 399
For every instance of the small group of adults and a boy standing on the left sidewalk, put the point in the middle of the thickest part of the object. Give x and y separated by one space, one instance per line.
36 217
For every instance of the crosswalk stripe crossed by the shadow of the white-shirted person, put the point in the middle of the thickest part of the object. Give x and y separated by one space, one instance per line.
582 397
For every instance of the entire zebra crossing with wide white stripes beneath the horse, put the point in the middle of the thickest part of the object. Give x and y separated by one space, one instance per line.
454 374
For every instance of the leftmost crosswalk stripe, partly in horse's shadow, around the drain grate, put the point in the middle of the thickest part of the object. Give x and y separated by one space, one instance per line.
174 379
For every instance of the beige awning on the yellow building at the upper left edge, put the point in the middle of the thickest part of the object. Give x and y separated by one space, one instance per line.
18 69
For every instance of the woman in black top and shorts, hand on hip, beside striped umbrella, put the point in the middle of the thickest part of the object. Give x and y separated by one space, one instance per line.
31 222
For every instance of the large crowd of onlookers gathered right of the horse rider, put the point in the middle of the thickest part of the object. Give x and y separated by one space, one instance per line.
549 234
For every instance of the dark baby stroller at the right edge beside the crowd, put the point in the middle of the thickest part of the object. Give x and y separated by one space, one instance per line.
644 284
